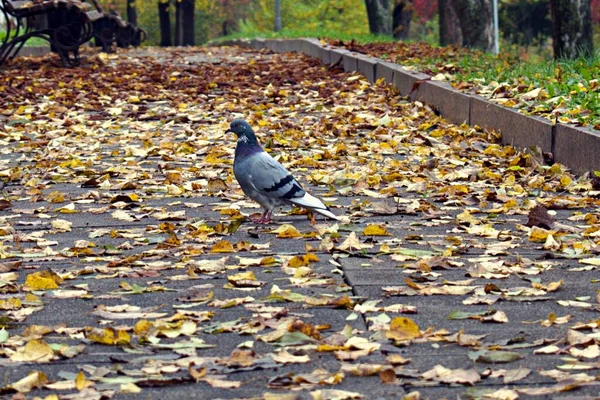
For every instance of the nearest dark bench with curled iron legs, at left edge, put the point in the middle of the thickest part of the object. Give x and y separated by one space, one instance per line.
65 24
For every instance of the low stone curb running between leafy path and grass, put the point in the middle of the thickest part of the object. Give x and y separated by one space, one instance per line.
576 147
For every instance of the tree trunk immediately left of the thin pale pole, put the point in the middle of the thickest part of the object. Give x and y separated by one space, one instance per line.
476 24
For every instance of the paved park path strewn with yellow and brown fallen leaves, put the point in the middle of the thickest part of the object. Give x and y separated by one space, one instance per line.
126 272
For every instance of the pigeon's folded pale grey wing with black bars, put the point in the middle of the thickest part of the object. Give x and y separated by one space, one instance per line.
272 180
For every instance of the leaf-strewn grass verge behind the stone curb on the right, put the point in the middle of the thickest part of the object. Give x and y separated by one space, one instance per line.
564 91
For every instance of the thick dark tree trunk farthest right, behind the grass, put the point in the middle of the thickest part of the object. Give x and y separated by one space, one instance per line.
571 28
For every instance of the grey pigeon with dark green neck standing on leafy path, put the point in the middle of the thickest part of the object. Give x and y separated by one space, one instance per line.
265 180
